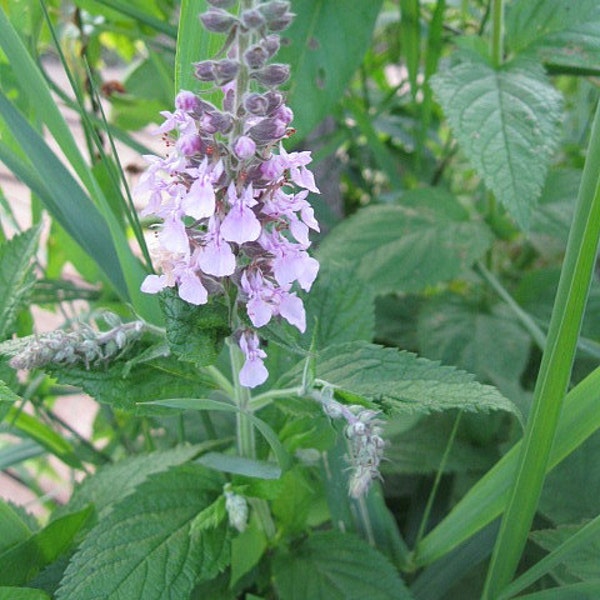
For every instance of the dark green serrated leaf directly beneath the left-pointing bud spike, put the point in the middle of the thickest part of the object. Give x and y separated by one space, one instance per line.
134 388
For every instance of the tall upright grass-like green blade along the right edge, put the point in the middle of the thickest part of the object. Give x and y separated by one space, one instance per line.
555 372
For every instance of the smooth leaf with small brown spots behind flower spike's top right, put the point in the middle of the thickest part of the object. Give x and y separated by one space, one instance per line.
324 46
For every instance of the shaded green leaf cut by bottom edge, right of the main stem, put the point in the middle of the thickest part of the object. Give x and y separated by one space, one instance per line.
336 566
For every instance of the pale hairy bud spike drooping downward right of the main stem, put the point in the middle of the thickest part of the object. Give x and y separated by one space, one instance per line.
363 430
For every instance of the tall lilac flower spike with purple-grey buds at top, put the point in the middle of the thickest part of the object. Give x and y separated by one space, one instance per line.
232 202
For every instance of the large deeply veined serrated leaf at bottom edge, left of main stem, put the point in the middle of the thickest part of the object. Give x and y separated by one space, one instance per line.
143 548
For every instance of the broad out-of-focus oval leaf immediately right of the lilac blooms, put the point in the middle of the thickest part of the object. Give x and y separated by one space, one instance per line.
424 240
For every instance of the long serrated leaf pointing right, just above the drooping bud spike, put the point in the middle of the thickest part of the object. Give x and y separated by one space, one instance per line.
401 381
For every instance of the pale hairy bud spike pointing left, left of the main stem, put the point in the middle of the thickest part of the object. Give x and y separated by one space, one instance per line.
86 345
